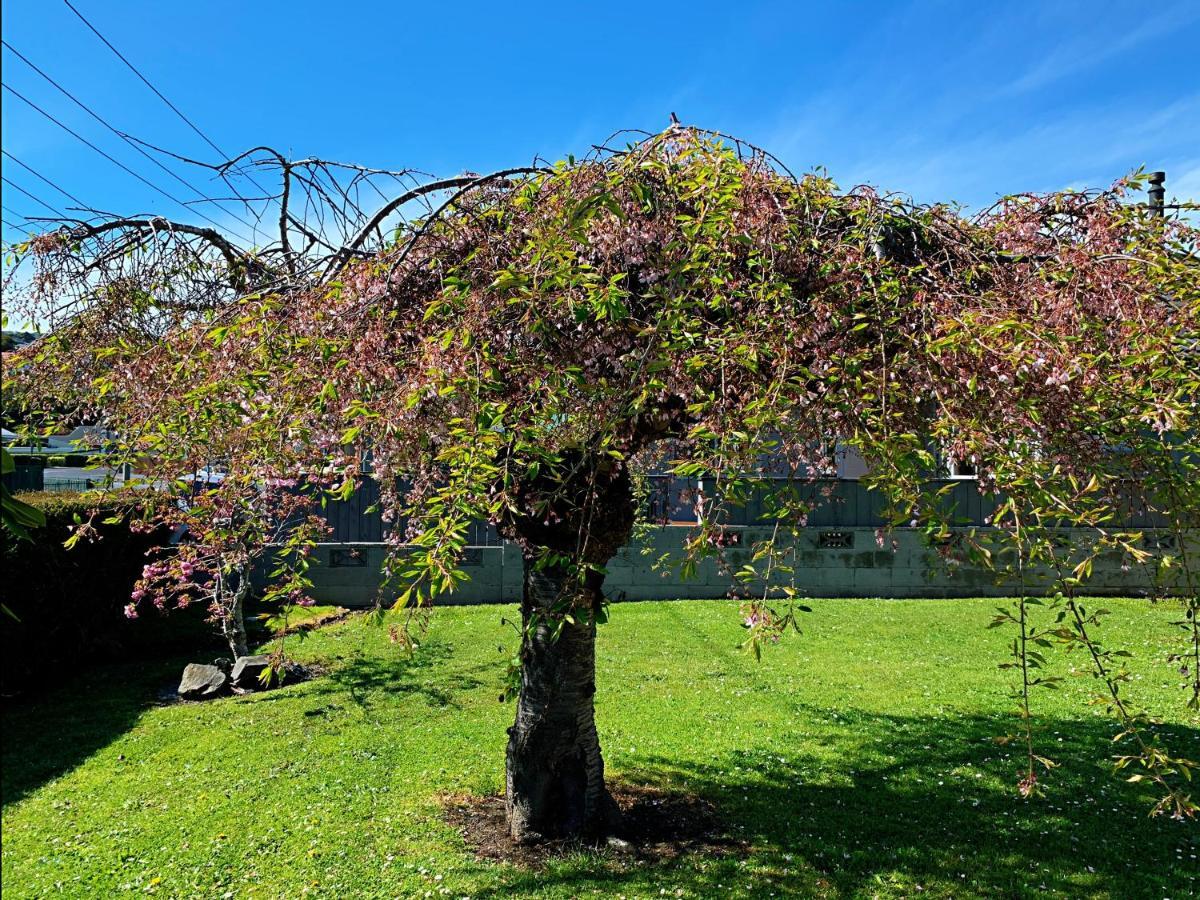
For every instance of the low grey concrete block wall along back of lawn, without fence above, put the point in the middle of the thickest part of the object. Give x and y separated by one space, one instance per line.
827 562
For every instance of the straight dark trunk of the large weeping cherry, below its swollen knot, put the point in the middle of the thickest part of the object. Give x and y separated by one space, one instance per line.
555 773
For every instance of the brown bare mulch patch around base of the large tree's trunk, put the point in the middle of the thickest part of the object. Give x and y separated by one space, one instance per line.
658 826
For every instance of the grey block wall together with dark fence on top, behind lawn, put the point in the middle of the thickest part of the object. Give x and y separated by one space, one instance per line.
837 555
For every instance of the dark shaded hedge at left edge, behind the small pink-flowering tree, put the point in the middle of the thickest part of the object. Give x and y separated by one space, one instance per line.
70 603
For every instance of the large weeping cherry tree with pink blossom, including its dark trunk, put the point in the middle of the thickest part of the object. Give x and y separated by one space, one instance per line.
524 349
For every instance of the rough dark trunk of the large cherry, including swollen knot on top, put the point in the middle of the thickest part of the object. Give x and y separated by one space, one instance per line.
555 770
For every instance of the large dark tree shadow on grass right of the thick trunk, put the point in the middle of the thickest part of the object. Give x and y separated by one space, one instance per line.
932 811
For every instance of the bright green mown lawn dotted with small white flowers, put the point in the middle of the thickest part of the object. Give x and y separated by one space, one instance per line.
857 760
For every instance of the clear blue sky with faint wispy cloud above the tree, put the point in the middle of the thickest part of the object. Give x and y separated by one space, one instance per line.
959 101
